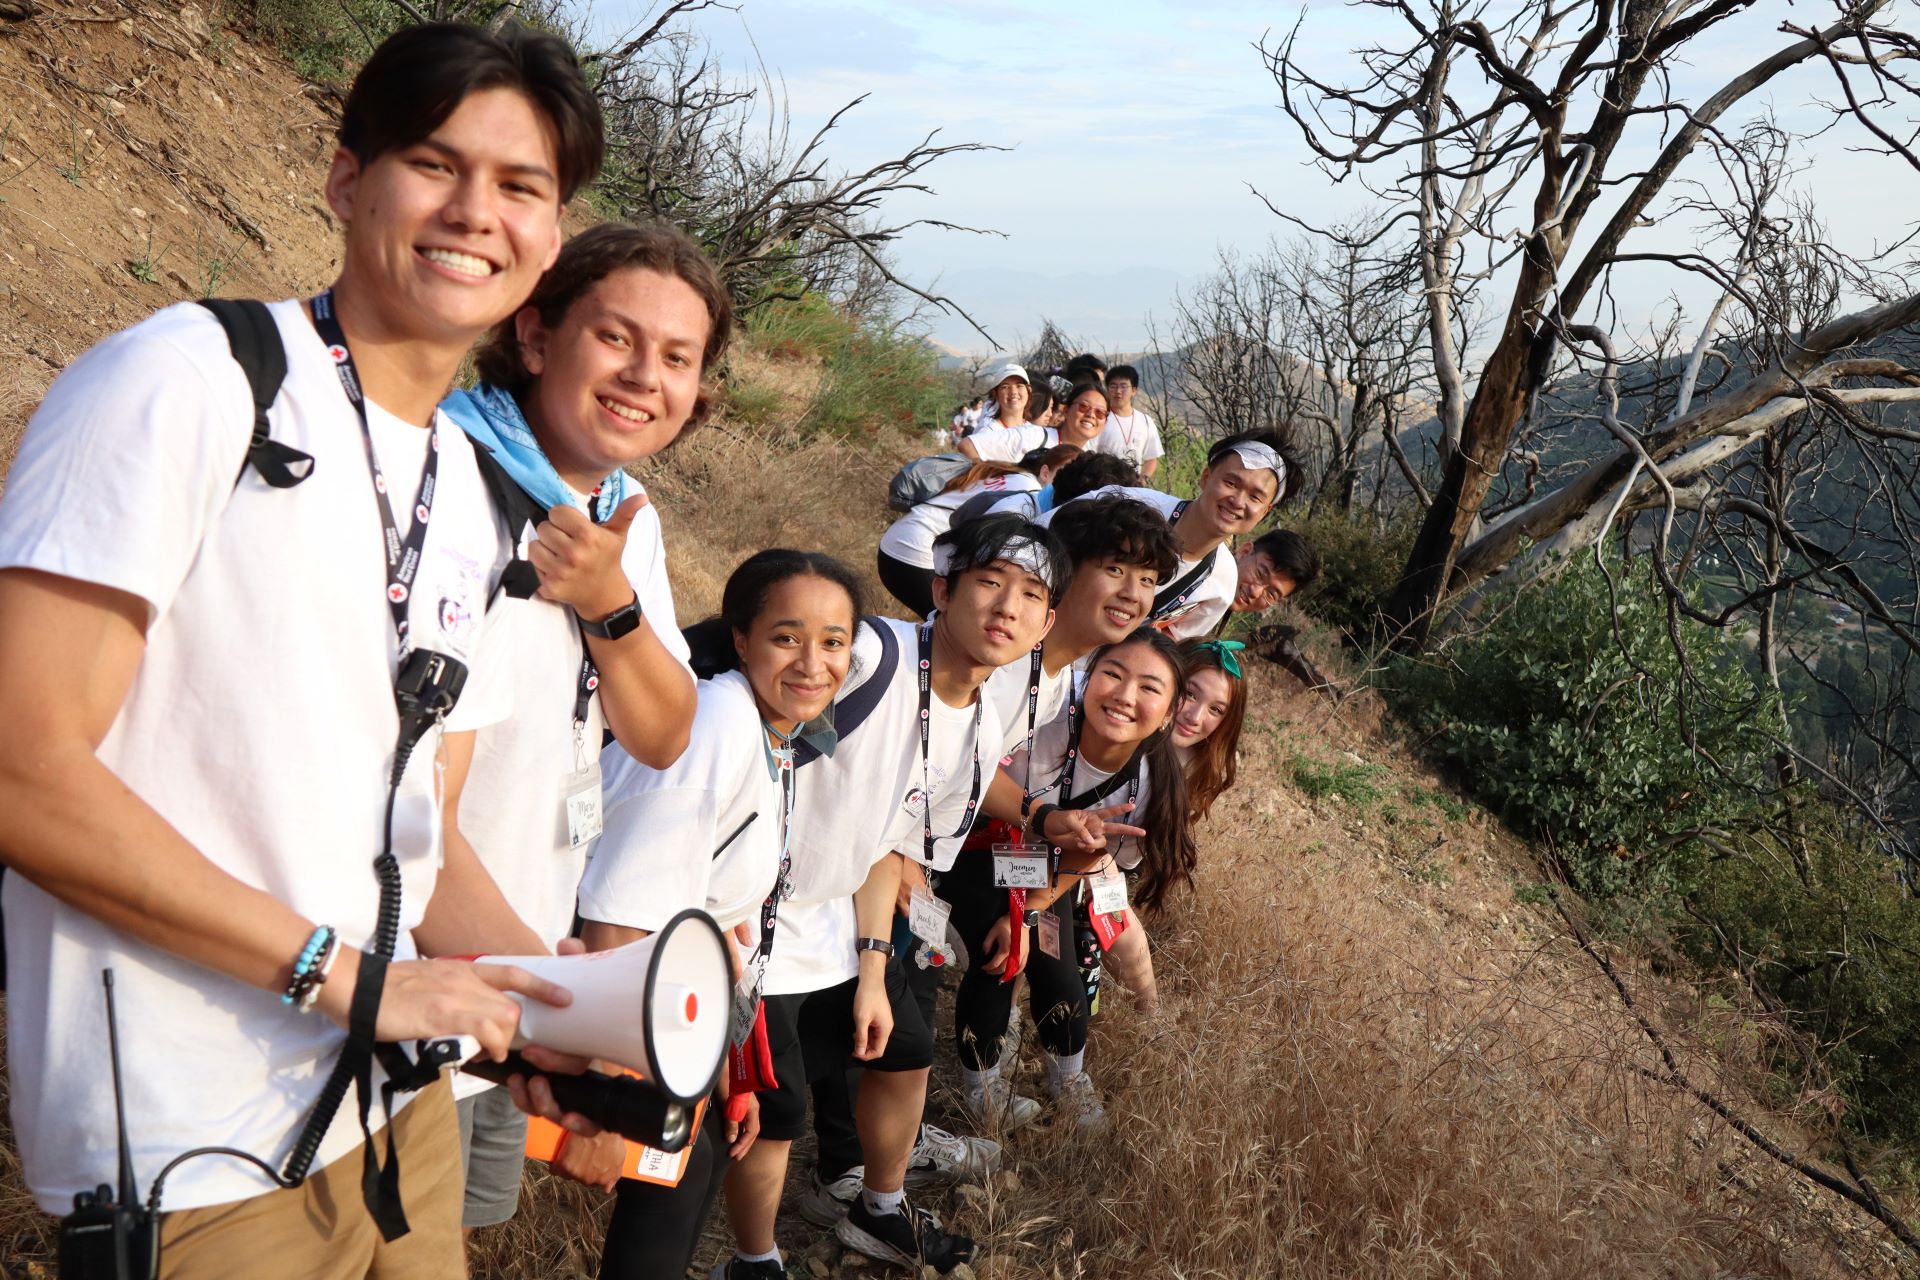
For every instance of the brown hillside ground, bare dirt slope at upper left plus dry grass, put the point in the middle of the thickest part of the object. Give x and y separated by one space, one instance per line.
1381 1053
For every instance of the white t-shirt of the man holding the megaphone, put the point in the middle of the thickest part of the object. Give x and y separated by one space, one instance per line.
260 726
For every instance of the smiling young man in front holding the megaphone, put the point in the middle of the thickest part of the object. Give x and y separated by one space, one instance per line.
204 711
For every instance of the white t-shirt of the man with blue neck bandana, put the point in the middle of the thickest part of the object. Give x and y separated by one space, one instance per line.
514 809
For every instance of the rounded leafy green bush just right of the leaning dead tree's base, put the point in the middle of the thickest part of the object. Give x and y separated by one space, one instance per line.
1564 715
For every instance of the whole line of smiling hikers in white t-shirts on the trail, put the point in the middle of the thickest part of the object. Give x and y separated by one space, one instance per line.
316 715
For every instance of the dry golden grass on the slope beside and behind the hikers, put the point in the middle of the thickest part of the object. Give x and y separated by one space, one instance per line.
1370 1062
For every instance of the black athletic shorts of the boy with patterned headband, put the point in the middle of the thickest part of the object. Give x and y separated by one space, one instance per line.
811 1035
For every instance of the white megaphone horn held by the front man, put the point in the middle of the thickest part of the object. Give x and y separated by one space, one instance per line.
656 1007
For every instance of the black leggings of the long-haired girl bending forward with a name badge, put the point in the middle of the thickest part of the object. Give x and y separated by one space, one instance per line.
1057 991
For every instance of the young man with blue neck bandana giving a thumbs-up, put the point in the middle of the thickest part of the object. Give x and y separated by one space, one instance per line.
600 369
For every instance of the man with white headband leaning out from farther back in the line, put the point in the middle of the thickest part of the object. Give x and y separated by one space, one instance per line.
1245 479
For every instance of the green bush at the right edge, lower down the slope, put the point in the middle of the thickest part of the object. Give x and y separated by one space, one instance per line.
1825 926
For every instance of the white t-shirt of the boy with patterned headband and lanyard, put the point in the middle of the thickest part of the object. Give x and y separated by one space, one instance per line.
865 803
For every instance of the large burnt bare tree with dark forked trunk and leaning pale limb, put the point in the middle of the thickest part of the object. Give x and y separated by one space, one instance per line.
1472 126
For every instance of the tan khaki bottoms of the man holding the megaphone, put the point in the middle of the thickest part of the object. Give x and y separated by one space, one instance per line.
322 1231
